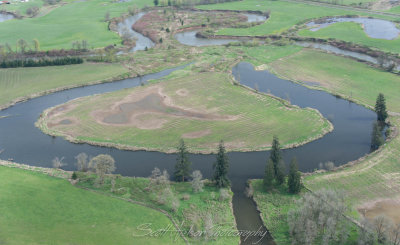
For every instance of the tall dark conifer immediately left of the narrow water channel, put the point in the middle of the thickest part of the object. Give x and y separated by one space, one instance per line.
221 167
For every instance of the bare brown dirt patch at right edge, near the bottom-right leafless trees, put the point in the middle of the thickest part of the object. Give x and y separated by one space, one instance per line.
387 207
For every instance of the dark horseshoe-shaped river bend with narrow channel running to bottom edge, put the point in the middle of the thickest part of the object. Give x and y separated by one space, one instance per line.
349 140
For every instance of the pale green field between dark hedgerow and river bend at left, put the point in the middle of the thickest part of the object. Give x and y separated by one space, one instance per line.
16 83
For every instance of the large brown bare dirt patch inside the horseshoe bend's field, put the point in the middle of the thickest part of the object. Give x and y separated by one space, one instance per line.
143 110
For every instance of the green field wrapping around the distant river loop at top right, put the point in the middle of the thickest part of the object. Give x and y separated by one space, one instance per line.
283 15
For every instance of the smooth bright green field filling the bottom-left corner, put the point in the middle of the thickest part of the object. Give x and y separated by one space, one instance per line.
39 209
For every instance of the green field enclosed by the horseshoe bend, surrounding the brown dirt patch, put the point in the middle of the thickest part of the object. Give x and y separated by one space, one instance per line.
253 118
